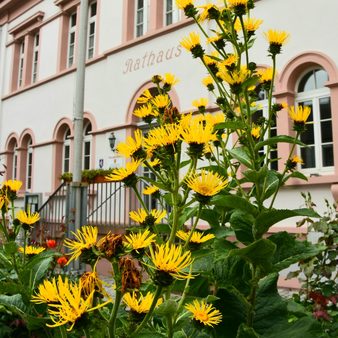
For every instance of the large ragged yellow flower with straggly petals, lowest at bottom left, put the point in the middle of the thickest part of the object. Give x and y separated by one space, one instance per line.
72 306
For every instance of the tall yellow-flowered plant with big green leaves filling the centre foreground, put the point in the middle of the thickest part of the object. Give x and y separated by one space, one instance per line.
200 264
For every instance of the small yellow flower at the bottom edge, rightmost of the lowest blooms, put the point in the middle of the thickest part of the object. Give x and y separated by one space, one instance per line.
204 313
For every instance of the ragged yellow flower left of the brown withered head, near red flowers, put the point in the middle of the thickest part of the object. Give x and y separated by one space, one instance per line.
85 239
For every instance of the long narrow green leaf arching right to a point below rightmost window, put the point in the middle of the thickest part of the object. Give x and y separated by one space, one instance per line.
270 217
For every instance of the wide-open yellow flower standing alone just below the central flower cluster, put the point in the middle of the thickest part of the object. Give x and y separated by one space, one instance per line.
206 183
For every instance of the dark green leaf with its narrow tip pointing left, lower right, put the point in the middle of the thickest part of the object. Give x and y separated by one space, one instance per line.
258 253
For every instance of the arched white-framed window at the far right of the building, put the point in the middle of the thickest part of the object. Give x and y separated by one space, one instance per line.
317 155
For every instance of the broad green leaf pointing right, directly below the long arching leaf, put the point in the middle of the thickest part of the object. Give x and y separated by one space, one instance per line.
290 251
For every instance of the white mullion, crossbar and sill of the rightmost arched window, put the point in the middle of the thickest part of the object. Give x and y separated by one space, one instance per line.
314 96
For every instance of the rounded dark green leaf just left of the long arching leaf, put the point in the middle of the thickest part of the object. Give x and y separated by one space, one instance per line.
242 223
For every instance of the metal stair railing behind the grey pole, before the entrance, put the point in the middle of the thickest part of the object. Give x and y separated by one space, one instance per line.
104 204
